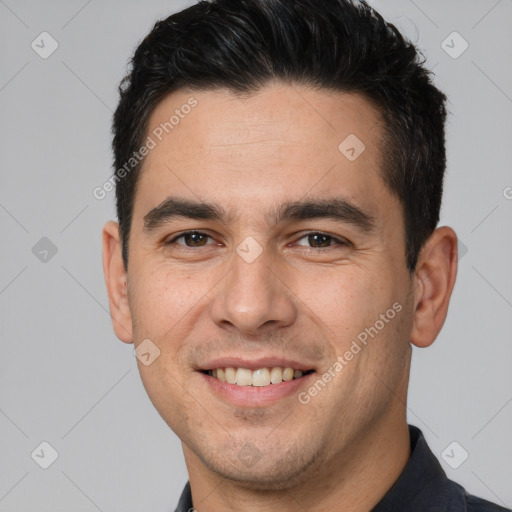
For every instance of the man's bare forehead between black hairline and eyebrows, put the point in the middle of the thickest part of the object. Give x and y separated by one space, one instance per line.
283 142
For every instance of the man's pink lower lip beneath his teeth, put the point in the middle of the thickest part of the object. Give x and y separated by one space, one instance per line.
254 396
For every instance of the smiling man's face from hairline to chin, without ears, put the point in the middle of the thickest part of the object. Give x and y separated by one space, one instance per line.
296 260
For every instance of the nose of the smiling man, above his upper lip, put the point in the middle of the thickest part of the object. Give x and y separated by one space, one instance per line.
254 297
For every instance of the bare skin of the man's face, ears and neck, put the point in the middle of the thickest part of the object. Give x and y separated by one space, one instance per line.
347 446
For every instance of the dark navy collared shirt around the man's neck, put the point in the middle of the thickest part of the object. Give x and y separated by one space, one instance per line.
422 487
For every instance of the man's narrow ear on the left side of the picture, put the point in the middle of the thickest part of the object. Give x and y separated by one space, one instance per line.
115 280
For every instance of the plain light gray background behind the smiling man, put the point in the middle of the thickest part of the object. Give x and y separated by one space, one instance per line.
67 380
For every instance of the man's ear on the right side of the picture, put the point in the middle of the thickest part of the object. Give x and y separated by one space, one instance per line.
434 277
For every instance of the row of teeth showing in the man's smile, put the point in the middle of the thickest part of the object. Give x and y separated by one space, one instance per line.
260 377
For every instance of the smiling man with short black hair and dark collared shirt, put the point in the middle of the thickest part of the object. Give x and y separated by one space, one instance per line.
279 170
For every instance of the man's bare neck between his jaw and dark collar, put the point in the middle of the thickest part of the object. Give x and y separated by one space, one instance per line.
353 480
